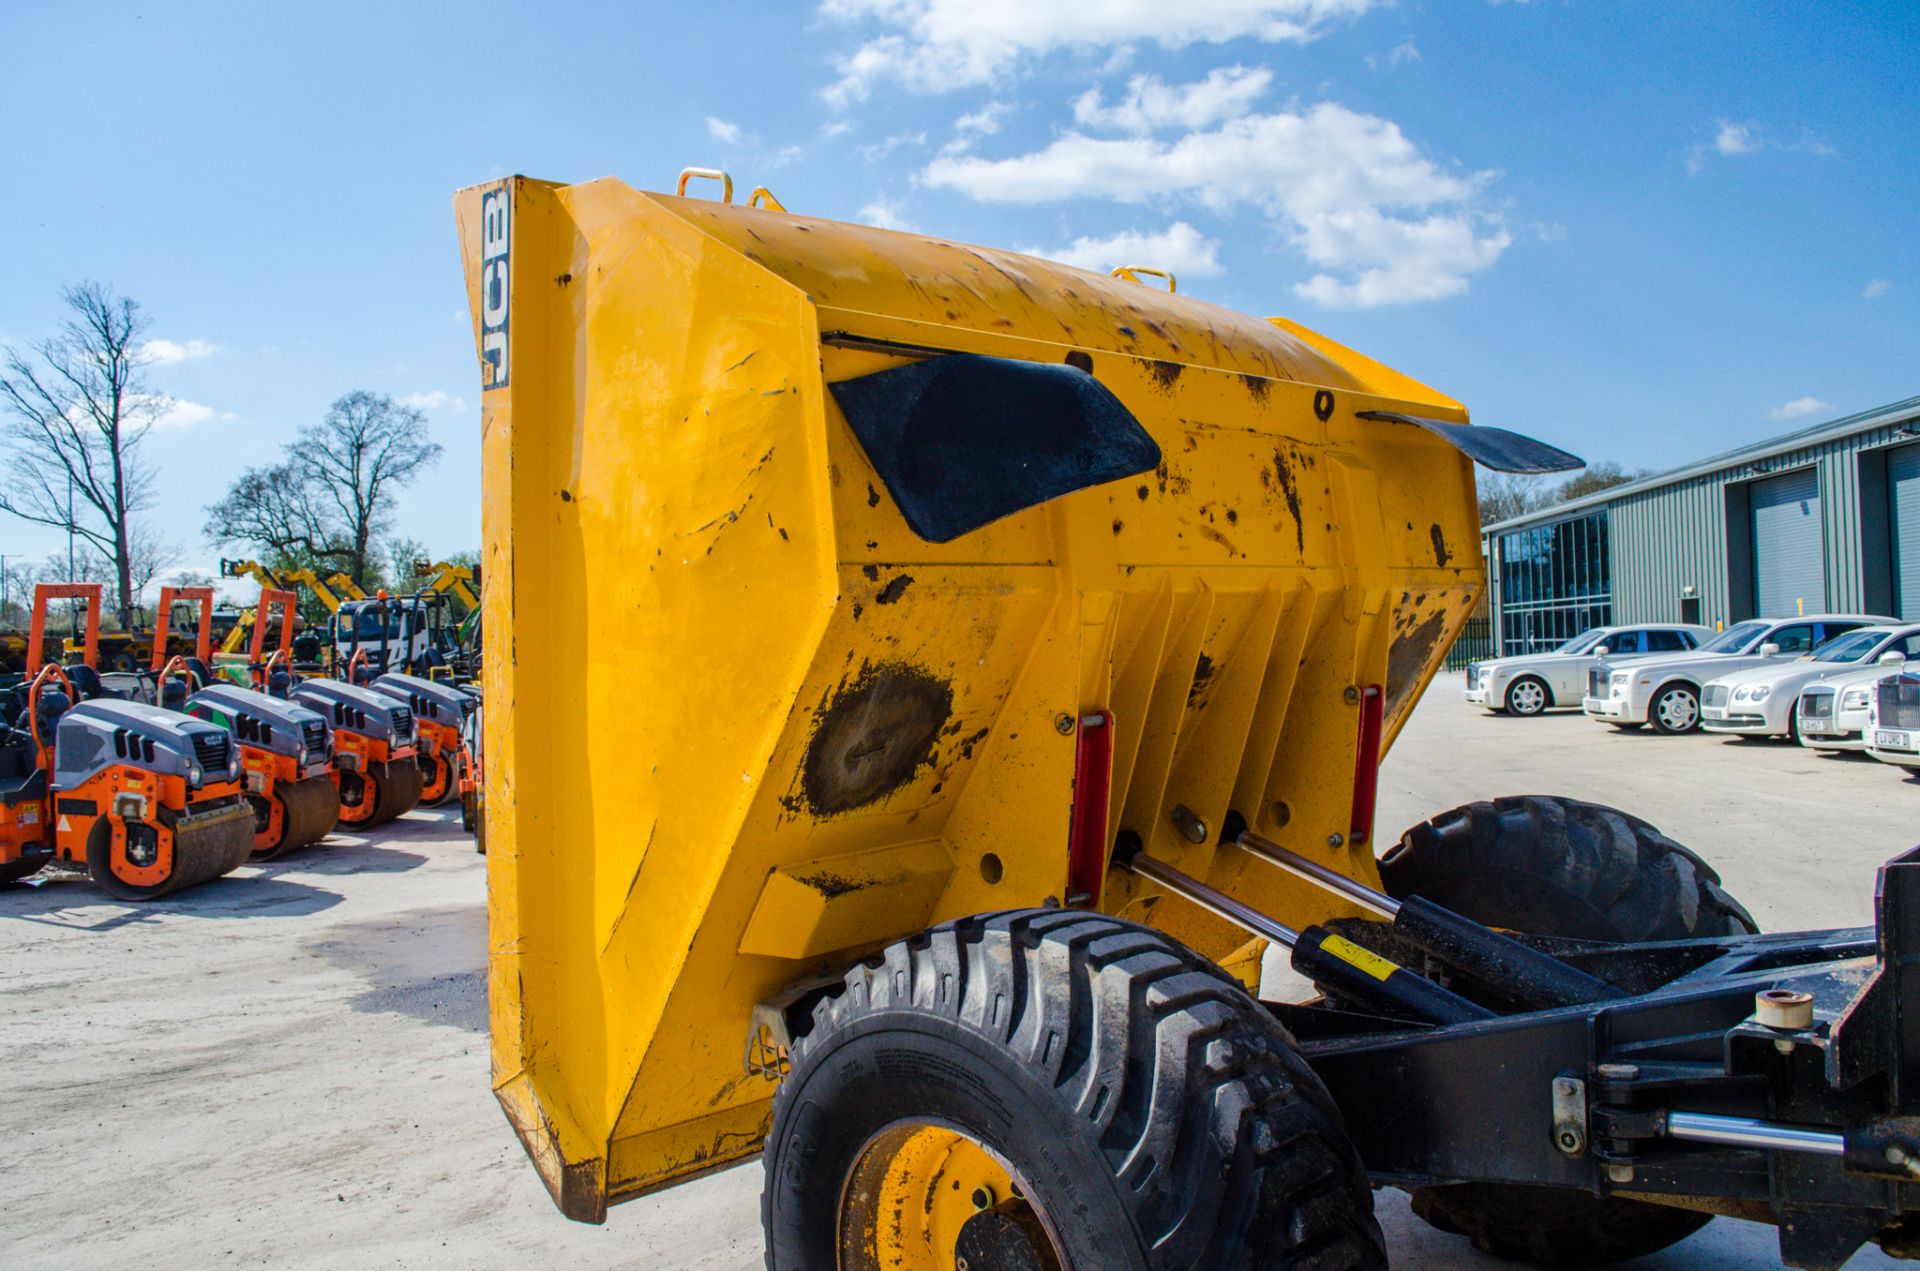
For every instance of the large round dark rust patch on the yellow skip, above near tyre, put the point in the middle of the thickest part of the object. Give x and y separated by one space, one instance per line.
875 736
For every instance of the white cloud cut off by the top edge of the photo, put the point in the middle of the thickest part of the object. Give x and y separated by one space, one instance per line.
942 45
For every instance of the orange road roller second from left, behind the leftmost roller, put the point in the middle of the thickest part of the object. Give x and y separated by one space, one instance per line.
285 748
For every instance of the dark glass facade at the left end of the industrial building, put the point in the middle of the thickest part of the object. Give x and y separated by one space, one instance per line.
1554 583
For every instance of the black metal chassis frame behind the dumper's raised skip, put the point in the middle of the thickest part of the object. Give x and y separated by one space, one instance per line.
1694 1090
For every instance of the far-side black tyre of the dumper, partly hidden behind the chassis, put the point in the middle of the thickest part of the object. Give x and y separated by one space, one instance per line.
1579 871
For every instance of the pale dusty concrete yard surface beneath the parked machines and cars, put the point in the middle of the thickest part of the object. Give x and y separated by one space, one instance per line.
289 1067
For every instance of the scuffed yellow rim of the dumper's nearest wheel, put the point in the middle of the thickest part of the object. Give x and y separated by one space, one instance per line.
911 1193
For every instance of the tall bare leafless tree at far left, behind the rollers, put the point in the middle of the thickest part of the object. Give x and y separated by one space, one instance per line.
72 420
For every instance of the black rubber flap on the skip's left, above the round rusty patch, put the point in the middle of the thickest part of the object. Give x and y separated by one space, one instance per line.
965 441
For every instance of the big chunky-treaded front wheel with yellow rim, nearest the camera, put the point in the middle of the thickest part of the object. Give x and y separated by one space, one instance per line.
1049 1090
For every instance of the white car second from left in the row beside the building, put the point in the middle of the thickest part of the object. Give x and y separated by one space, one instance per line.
1666 690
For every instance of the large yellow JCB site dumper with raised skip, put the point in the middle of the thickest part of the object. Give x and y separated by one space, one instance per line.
1005 659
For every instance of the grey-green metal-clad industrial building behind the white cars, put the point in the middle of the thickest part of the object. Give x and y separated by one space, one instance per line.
1819 519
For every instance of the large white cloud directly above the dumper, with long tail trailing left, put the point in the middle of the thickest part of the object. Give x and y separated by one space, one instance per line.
1380 220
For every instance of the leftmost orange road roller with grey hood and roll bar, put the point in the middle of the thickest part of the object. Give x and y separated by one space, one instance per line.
145 800
